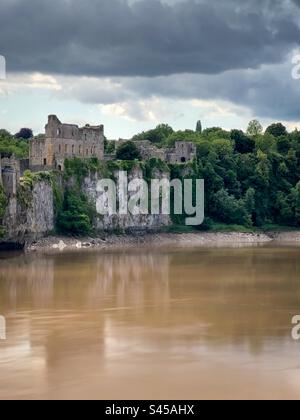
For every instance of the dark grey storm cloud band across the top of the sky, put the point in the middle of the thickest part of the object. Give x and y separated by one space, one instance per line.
146 37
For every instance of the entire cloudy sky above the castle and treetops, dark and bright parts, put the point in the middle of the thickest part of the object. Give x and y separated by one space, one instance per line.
132 64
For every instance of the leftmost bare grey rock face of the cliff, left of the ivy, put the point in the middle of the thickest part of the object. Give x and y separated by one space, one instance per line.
29 215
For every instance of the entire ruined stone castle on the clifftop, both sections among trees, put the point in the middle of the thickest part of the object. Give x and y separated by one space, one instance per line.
63 141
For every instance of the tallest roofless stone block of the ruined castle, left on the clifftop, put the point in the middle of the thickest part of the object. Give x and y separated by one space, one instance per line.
64 141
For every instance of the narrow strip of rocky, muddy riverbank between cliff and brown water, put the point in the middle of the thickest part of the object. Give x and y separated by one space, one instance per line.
61 243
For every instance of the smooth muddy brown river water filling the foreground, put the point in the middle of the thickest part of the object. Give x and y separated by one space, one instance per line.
151 324
